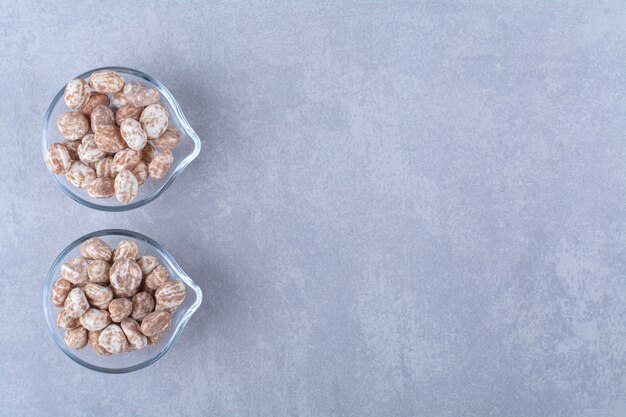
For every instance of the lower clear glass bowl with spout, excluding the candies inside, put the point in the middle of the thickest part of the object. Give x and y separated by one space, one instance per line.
130 361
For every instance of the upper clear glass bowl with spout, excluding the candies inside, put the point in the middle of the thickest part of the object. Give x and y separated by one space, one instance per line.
184 153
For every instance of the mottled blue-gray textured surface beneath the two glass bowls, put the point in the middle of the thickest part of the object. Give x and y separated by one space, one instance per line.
399 209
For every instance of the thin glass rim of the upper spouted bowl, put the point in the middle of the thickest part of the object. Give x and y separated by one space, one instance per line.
165 185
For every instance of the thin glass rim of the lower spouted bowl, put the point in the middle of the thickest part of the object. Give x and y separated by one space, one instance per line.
167 257
